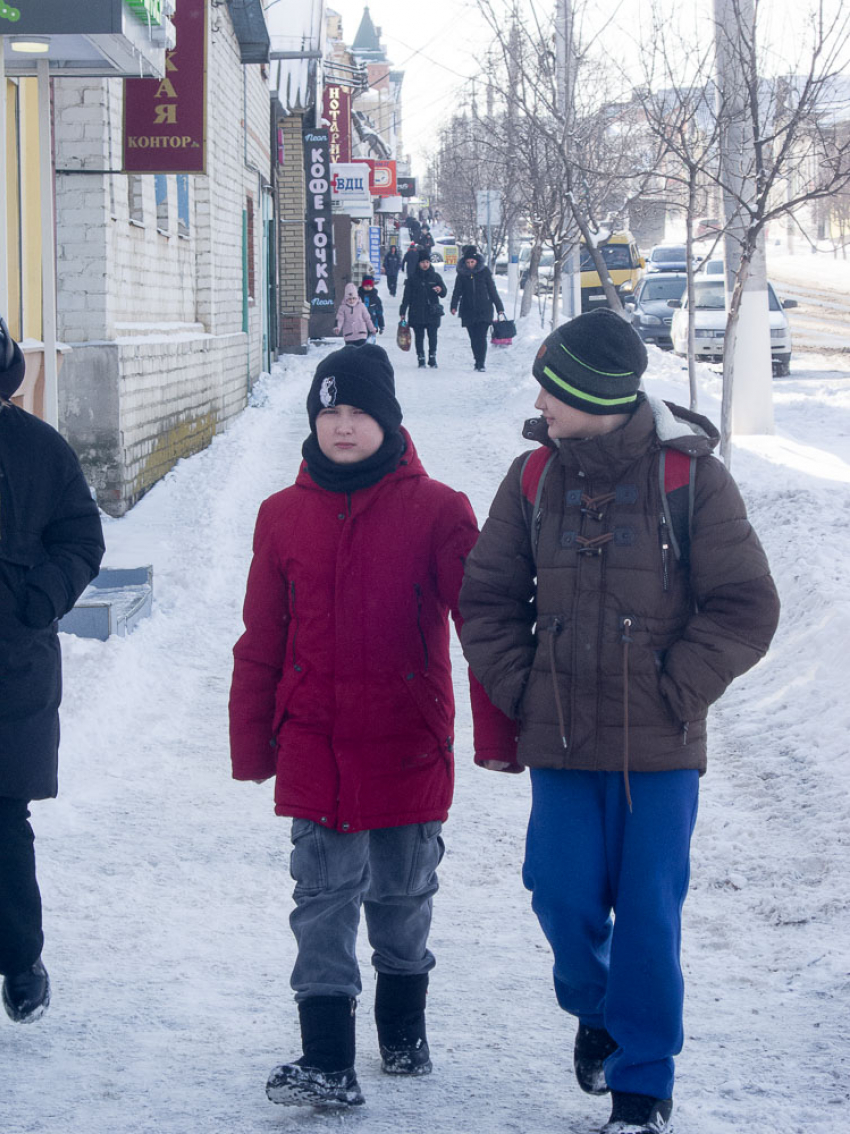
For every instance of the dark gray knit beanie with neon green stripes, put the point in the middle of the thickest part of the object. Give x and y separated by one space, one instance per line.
593 363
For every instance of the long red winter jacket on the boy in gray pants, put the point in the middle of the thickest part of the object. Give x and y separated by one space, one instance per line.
343 683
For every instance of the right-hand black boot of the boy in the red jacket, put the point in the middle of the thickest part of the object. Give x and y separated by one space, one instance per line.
401 1019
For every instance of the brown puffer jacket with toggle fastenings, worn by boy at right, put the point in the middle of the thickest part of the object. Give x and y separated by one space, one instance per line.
614 658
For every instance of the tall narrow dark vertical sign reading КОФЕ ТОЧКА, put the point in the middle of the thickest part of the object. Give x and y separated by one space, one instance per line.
319 231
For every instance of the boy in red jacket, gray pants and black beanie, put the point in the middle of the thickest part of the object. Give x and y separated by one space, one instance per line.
343 691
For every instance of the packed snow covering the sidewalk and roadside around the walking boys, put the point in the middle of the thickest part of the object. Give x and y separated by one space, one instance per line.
166 884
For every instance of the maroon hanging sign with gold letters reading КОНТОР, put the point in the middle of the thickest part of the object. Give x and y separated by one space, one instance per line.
165 121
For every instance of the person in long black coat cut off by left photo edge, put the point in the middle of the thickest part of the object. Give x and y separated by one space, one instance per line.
52 545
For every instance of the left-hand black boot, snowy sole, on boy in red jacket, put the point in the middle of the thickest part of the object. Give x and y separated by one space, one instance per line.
325 1076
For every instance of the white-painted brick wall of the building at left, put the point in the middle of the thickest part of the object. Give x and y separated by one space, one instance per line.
130 286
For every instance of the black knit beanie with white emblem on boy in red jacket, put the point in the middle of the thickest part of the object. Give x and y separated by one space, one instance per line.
361 377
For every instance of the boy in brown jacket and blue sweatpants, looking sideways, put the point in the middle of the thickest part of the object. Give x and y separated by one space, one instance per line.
607 629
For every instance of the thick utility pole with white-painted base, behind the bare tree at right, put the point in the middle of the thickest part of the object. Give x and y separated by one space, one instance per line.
749 374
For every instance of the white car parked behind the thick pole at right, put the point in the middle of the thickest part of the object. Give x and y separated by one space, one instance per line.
710 324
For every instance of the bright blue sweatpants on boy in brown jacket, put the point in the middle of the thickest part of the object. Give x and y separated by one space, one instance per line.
608 887
